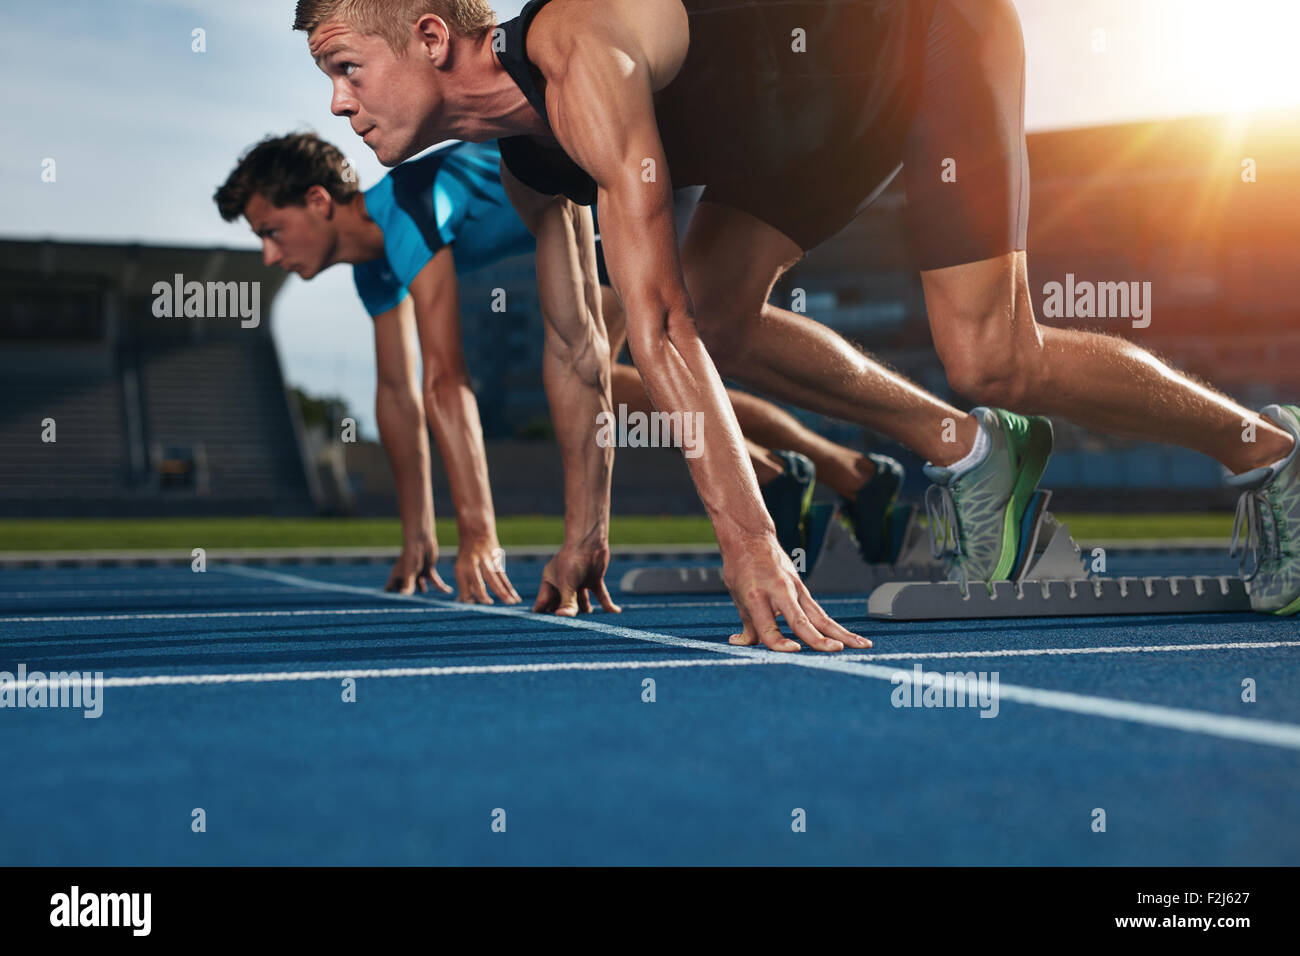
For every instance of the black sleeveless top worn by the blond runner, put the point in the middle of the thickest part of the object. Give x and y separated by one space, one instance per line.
766 86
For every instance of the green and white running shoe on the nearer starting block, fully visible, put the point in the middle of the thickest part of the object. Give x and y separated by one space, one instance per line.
977 517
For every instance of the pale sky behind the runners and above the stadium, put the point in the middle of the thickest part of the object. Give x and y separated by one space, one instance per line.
144 129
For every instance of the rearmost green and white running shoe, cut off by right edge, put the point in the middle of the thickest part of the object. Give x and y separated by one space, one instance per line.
1268 525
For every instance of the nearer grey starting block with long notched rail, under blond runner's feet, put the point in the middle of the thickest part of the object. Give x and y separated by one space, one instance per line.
1051 581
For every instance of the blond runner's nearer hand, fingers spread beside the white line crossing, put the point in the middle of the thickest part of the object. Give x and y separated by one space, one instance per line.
764 583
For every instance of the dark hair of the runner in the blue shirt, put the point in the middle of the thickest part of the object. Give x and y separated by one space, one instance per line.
283 170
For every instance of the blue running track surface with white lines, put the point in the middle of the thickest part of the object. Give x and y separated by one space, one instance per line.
226 693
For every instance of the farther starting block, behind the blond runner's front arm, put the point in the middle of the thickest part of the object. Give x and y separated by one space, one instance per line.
835 566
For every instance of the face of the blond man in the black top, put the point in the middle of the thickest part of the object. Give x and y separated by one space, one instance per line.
395 103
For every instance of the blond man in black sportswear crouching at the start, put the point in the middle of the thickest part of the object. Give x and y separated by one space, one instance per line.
794 115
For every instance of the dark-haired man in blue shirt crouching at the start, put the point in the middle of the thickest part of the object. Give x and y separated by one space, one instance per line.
409 237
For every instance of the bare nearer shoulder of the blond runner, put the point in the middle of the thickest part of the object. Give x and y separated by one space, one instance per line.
655 33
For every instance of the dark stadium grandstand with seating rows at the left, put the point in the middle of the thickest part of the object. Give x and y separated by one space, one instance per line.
153 416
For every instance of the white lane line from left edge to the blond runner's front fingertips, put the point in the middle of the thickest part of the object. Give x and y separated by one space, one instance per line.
445 672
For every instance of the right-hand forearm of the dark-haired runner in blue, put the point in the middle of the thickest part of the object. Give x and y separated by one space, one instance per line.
454 418
